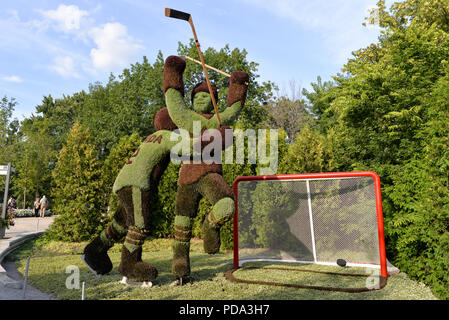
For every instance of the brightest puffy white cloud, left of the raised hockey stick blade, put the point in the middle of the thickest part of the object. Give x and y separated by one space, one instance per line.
115 48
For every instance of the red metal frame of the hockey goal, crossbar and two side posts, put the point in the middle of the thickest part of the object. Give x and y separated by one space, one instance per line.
378 196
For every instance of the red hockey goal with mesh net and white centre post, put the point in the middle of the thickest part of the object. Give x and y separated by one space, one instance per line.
310 218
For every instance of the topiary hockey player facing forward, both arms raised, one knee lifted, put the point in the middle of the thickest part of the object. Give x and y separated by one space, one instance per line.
200 180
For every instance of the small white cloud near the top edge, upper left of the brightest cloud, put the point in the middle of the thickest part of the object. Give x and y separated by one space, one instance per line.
67 18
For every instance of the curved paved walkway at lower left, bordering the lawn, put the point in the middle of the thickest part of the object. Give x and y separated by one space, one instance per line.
10 280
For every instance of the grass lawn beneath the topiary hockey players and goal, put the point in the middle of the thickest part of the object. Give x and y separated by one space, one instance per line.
49 261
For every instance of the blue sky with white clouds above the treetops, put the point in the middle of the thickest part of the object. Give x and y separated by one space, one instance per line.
59 47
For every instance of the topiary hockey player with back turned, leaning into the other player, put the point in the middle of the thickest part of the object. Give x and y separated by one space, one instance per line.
131 221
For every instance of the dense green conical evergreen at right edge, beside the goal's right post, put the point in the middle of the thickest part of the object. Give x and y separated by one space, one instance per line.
420 228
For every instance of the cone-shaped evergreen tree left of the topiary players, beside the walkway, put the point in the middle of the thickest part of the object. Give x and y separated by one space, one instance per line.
77 180
